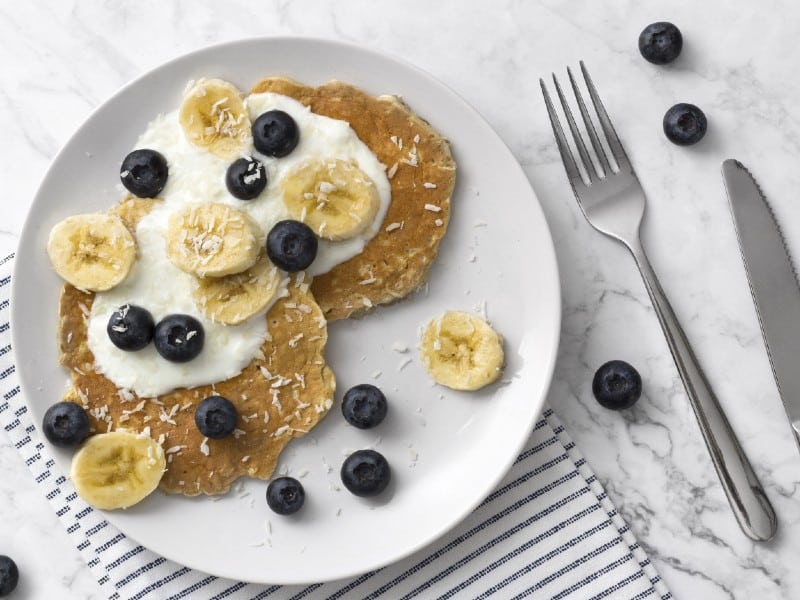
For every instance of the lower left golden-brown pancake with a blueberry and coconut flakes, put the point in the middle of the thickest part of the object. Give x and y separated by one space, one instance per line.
280 395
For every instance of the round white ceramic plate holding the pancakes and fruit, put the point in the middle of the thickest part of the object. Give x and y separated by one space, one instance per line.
448 450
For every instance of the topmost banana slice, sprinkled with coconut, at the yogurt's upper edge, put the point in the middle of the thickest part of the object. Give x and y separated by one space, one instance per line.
213 116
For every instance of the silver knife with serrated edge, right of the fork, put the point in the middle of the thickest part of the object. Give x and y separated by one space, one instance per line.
773 282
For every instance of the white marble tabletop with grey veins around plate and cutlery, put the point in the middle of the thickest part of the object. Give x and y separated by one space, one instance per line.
739 62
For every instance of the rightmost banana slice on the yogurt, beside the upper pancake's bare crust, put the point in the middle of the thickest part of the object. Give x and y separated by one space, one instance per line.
333 197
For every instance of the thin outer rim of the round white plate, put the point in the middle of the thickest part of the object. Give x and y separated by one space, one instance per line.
554 289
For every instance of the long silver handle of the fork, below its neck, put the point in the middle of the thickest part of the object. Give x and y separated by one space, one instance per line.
745 494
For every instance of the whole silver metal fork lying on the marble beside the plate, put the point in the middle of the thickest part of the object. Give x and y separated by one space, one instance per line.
613 201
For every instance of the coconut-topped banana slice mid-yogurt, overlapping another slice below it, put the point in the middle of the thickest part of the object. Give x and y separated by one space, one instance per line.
212 240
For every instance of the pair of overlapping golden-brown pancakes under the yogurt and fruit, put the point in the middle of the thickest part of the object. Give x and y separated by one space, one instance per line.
287 387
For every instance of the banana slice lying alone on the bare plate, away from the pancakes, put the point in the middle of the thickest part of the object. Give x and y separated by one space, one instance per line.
462 351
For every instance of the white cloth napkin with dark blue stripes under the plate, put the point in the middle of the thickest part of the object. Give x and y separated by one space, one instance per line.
549 530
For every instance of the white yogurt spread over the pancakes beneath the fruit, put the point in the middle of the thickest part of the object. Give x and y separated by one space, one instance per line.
154 283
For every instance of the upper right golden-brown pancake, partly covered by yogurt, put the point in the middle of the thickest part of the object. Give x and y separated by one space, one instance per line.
422 175
